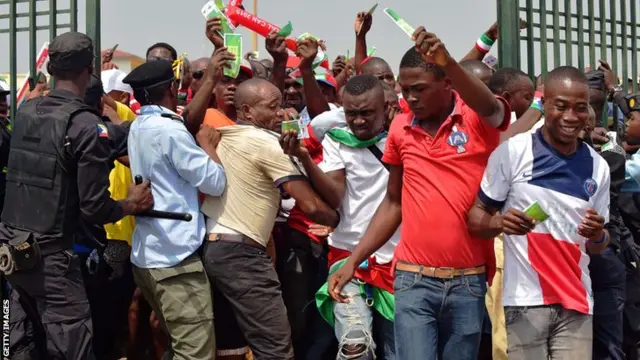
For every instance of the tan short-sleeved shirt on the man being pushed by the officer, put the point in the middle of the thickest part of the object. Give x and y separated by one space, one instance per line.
255 166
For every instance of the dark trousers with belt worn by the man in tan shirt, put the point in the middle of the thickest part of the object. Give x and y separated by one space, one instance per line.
245 276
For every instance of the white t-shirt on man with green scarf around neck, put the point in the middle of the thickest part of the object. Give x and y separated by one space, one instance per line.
365 189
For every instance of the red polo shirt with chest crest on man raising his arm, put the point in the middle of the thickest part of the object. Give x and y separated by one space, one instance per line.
440 185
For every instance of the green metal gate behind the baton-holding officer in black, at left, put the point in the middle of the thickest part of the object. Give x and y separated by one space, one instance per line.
43 15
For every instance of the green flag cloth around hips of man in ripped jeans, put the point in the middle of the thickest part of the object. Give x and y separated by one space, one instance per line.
383 301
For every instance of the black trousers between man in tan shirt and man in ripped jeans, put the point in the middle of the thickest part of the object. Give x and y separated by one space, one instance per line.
302 267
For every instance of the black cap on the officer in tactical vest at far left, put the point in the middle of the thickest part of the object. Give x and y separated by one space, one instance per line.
71 51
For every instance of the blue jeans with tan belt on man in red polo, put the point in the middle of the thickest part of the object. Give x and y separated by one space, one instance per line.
438 319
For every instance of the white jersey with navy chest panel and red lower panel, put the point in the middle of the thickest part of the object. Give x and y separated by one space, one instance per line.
550 264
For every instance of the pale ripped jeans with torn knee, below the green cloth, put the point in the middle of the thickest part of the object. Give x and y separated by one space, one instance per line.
362 332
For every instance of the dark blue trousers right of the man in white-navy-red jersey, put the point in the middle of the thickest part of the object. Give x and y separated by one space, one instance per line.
608 276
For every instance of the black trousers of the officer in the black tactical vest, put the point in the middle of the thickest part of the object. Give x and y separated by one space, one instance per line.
49 311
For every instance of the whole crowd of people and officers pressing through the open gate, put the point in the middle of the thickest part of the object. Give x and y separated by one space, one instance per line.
448 210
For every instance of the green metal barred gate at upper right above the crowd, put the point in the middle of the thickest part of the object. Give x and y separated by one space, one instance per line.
570 32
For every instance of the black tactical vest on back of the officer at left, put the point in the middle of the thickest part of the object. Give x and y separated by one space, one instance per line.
41 189
